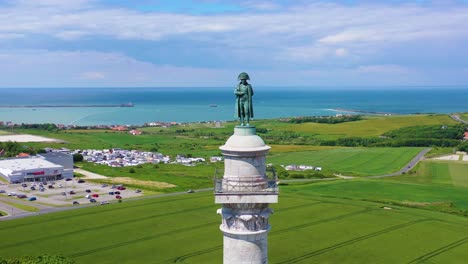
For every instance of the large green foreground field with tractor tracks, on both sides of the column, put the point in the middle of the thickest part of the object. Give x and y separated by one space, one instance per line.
306 228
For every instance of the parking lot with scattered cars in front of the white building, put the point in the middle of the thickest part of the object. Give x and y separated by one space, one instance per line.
62 192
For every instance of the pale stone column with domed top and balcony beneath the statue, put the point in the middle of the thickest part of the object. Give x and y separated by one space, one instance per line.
245 193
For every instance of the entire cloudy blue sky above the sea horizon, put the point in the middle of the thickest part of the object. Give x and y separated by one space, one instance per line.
169 43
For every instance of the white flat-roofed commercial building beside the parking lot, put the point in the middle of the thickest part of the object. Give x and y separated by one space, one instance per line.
30 169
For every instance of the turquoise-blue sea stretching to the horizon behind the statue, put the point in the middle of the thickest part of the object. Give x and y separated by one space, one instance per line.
209 104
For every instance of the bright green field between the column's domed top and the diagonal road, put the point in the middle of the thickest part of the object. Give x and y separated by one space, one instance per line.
350 161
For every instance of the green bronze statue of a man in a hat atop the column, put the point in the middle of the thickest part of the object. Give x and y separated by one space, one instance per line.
244 93
